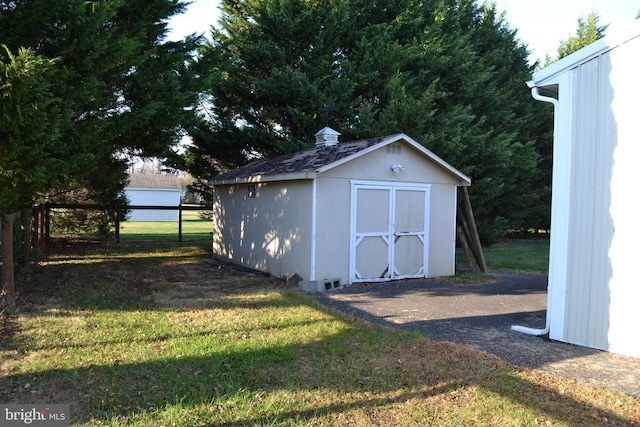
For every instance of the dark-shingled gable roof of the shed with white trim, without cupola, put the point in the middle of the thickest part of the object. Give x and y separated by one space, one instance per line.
306 163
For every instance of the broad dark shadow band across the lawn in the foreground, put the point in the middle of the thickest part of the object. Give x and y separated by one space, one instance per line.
233 379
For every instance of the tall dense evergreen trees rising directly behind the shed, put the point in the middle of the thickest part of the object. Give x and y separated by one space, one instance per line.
448 73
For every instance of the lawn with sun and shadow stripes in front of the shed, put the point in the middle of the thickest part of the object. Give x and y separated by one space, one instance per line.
154 334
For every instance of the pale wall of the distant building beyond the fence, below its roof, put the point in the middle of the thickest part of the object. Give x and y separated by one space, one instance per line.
153 197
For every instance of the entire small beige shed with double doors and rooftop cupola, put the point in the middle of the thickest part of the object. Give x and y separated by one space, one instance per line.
341 212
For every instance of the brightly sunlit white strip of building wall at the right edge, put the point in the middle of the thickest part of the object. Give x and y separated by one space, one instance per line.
624 288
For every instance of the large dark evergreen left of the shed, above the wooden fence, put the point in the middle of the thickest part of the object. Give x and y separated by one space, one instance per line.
116 87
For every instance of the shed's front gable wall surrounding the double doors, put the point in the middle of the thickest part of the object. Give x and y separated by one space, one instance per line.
333 201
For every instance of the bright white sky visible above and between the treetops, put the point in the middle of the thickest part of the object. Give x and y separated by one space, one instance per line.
541 24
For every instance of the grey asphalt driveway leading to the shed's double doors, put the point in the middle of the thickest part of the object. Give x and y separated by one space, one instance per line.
481 316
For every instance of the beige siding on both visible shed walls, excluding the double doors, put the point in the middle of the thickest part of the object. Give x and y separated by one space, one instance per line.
274 231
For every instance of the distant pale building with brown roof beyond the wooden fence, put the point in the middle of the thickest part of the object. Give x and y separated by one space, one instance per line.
153 189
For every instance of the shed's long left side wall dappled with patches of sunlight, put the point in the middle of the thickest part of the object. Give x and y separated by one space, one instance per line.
270 232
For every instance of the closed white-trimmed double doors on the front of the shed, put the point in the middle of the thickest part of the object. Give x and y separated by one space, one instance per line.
389 231
